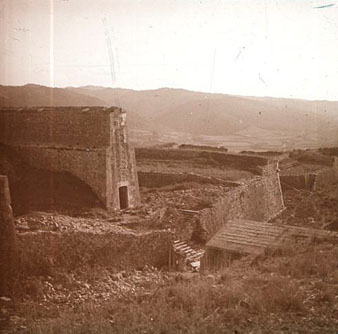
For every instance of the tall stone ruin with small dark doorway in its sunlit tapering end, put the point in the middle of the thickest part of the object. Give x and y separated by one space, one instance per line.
89 143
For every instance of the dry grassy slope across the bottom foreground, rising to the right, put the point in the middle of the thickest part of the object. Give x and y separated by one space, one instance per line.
283 291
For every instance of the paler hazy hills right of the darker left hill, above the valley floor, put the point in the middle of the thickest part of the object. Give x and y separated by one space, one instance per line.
221 114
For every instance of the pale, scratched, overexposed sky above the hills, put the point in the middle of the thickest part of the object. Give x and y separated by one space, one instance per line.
285 48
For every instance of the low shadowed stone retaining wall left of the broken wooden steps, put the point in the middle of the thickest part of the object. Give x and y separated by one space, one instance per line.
40 252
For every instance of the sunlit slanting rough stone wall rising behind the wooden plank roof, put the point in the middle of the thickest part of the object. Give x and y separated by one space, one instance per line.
257 199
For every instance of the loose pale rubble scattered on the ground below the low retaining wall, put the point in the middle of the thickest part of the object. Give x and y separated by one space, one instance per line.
70 289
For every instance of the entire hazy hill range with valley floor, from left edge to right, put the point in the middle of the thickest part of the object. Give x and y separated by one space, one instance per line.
169 110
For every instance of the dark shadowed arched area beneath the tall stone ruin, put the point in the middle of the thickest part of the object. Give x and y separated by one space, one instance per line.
33 189
